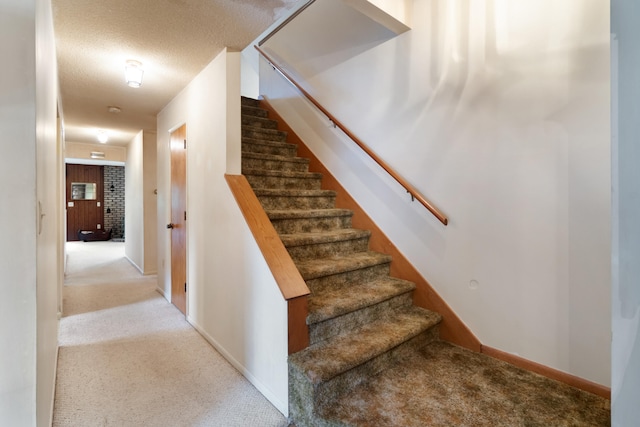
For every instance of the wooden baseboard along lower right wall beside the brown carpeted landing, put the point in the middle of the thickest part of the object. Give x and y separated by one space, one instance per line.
554 374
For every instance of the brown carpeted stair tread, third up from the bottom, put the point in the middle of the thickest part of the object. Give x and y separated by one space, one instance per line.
314 268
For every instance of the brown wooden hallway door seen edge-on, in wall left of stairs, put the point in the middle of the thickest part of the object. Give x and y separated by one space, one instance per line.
179 218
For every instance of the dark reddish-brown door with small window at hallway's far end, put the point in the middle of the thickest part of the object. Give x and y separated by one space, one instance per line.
85 210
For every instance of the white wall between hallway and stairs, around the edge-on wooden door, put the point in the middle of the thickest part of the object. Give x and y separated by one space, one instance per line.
232 297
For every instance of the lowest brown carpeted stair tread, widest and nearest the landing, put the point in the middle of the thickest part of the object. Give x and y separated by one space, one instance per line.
328 359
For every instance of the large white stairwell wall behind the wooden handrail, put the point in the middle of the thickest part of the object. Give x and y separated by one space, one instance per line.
498 112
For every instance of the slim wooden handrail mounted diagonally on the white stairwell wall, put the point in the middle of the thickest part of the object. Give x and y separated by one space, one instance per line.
410 189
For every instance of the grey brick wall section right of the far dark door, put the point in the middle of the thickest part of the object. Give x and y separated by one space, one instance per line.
114 200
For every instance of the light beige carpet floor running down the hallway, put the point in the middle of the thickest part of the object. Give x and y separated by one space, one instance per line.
129 358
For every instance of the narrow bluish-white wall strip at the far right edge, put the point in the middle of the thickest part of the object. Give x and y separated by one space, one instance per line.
625 97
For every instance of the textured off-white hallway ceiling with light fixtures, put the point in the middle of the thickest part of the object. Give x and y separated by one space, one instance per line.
173 39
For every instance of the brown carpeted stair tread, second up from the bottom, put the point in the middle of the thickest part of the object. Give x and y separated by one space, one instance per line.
330 302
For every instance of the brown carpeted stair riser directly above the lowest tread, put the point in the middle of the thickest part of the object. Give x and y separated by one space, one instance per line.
351 321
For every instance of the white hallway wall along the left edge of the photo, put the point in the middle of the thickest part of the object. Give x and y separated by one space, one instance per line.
29 173
